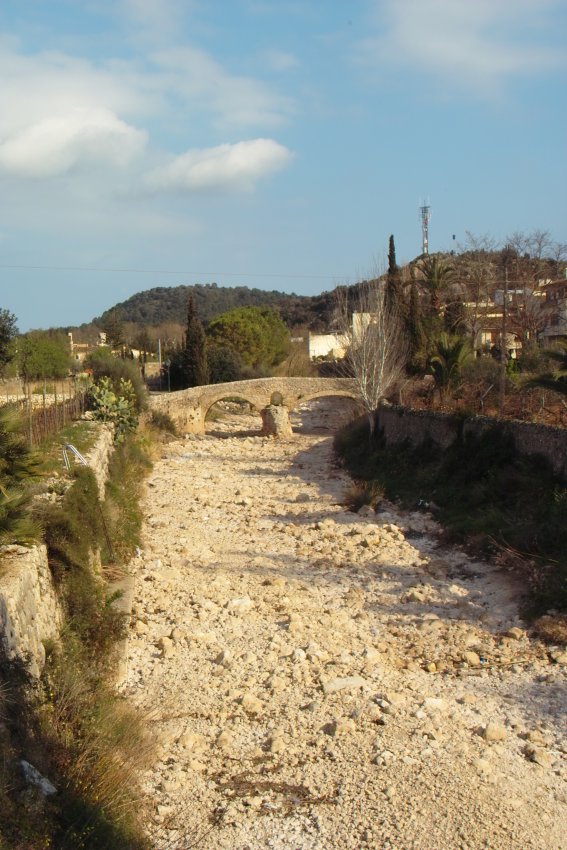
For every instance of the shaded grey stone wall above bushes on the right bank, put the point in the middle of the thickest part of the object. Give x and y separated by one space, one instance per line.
399 424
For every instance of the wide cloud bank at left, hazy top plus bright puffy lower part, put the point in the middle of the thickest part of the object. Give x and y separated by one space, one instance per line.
57 111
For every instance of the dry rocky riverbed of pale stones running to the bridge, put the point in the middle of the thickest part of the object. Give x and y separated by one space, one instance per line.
321 679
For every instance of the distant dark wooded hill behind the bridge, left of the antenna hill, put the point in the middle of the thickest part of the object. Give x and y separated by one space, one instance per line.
168 304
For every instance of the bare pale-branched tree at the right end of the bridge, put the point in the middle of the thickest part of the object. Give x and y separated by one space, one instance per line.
375 342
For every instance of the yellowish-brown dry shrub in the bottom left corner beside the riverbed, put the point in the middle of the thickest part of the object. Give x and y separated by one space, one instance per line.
99 746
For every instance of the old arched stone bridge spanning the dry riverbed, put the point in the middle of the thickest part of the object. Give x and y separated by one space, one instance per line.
188 408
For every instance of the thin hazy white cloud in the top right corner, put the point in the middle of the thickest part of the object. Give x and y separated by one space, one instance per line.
480 43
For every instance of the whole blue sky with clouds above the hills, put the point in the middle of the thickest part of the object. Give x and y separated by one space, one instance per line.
269 143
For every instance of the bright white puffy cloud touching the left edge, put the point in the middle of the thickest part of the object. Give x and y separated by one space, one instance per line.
55 145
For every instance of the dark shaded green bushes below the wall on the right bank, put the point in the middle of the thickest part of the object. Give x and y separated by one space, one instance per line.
486 494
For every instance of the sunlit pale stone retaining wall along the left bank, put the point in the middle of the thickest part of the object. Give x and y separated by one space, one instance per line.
30 612
